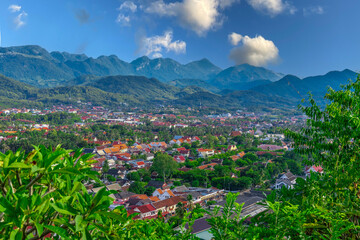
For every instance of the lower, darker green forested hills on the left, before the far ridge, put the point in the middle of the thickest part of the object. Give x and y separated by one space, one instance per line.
109 91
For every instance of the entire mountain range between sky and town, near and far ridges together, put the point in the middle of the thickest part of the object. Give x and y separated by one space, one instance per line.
33 76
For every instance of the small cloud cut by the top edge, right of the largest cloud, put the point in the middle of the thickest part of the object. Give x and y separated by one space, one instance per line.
272 7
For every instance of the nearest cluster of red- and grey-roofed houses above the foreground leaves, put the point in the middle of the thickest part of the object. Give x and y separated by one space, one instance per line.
163 201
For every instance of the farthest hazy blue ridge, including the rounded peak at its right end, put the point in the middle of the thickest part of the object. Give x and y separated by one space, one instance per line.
38 67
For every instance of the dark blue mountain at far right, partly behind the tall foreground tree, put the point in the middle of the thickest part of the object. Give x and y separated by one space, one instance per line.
295 89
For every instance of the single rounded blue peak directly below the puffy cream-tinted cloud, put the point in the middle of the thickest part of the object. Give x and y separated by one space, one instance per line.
243 77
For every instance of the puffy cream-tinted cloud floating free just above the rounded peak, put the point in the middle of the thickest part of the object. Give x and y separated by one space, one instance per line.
255 51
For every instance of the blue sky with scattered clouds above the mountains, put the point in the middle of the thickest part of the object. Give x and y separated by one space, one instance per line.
304 38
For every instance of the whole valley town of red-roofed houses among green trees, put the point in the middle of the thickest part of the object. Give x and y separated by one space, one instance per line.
168 161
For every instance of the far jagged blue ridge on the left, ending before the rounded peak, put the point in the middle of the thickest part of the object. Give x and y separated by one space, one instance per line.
38 67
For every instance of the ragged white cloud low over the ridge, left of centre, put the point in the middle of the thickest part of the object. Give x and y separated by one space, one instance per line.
155 45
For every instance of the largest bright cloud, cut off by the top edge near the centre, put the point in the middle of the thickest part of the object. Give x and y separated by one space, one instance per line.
199 16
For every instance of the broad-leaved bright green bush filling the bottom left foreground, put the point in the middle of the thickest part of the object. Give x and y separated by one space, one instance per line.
42 195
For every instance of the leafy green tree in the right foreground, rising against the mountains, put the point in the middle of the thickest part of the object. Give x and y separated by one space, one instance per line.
324 206
